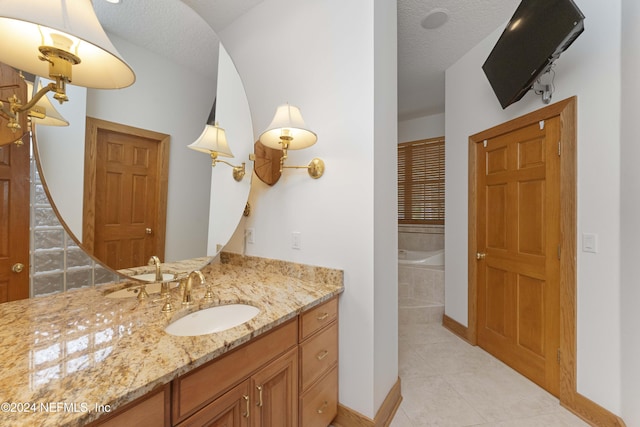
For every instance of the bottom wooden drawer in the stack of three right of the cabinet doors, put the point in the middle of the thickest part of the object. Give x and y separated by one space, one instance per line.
319 405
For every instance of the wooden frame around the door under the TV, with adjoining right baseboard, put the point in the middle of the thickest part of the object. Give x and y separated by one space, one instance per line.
568 395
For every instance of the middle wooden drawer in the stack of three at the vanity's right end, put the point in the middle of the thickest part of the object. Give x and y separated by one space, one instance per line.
318 354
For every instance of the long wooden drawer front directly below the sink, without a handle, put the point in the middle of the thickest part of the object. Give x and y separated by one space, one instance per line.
199 387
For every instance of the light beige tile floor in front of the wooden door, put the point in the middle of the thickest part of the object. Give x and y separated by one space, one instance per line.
447 382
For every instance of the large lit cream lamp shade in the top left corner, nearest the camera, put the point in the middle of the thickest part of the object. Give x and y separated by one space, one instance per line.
69 25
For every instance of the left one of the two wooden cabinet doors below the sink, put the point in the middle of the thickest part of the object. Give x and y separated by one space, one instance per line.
232 409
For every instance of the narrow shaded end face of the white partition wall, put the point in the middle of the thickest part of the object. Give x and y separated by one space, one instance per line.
385 206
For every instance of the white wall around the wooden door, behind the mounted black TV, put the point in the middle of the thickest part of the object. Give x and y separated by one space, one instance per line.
590 69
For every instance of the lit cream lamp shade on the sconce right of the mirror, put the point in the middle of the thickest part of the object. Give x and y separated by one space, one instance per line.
288 124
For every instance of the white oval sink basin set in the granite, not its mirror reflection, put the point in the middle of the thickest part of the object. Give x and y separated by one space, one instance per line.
211 320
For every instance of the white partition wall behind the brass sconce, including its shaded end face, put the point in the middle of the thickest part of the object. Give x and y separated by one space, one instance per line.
327 57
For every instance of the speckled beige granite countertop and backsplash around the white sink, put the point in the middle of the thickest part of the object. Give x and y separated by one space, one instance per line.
66 356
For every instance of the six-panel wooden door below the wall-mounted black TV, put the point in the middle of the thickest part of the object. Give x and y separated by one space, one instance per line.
518 241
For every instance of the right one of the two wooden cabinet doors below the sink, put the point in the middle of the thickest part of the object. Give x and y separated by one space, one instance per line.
275 388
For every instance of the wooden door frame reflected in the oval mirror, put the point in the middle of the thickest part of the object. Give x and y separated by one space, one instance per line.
93 125
